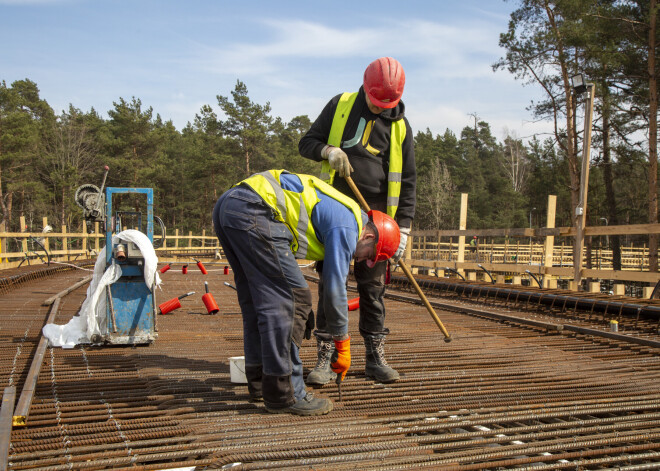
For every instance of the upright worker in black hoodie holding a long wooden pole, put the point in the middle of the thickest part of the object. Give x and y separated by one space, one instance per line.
366 135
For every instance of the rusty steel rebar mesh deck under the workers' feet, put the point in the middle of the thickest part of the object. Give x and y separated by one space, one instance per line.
500 395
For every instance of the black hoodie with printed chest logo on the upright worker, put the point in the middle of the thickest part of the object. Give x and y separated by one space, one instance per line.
369 170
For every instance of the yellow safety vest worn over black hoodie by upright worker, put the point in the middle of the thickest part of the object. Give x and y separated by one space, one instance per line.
397 134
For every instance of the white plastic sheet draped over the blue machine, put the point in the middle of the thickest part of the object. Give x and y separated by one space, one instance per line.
91 319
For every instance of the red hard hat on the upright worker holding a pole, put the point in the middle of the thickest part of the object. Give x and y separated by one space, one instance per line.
383 82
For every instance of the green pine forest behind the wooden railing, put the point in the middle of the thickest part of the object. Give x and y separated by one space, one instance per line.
45 156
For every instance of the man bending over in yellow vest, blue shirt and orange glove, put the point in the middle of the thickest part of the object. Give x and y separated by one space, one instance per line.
266 222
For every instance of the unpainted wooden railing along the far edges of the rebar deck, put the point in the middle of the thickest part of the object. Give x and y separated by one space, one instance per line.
523 251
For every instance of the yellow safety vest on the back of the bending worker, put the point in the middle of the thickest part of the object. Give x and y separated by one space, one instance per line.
295 209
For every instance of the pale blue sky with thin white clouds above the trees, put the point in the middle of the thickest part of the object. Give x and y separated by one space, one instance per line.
176 56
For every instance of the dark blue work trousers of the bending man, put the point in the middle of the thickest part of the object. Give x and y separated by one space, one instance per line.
272 292
